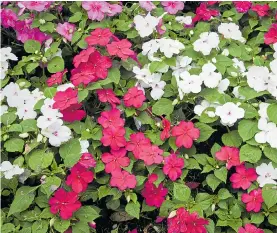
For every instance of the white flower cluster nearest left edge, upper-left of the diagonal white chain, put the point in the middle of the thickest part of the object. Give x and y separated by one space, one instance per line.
23 100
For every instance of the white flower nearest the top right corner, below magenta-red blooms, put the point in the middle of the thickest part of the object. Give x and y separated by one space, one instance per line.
231 31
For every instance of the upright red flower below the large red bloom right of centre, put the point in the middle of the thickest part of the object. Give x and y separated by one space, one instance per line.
173 166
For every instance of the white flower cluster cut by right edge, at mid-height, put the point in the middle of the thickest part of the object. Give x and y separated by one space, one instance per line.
268 129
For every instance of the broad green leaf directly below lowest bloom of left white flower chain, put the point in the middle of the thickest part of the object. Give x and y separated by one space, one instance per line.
70 152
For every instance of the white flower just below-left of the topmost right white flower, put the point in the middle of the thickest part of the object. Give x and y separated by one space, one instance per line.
206 42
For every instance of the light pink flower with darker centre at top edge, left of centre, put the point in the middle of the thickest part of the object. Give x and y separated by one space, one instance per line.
96 10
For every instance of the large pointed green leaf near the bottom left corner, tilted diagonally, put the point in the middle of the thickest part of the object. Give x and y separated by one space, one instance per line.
23 199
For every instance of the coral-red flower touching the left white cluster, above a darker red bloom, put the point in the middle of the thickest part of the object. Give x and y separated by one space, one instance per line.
64 99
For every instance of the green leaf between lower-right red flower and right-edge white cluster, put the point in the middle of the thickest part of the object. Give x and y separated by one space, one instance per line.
250 153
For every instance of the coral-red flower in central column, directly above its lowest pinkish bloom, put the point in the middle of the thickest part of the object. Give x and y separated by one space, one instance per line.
115 160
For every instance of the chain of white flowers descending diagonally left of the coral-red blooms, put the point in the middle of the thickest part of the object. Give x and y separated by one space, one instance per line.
51 125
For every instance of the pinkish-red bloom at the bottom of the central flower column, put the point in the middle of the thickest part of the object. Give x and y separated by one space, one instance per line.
123 180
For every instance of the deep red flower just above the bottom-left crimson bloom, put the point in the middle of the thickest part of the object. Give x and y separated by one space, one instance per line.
79 178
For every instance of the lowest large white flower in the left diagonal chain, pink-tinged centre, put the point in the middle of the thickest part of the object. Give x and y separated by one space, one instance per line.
57 133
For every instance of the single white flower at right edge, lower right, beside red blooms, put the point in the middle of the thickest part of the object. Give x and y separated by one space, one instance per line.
267 174
